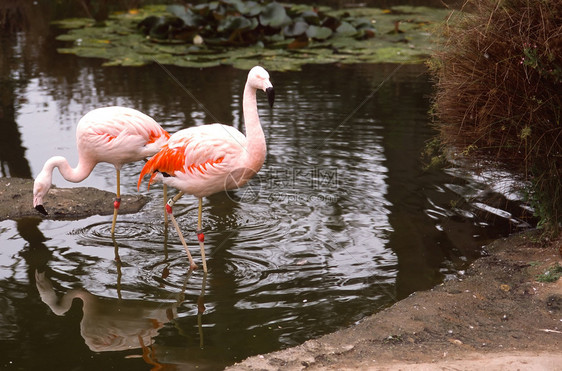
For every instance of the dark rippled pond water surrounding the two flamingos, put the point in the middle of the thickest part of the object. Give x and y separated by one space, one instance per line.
341 222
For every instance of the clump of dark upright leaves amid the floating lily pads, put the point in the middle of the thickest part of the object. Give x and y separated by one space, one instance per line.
243 23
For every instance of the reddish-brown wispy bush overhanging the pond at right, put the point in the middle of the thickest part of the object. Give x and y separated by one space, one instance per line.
498 92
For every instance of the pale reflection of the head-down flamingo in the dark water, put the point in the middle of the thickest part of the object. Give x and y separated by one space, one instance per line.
119 324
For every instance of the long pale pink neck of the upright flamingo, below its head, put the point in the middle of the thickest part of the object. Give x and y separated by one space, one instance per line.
254 132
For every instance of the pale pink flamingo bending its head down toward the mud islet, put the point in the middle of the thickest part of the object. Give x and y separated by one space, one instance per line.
117 135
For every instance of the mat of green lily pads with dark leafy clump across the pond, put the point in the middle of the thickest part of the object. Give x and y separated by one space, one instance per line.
240 33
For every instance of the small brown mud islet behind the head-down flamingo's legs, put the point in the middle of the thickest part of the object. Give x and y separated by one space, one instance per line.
16 201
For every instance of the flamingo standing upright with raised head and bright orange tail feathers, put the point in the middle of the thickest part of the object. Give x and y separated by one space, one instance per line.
208 159
